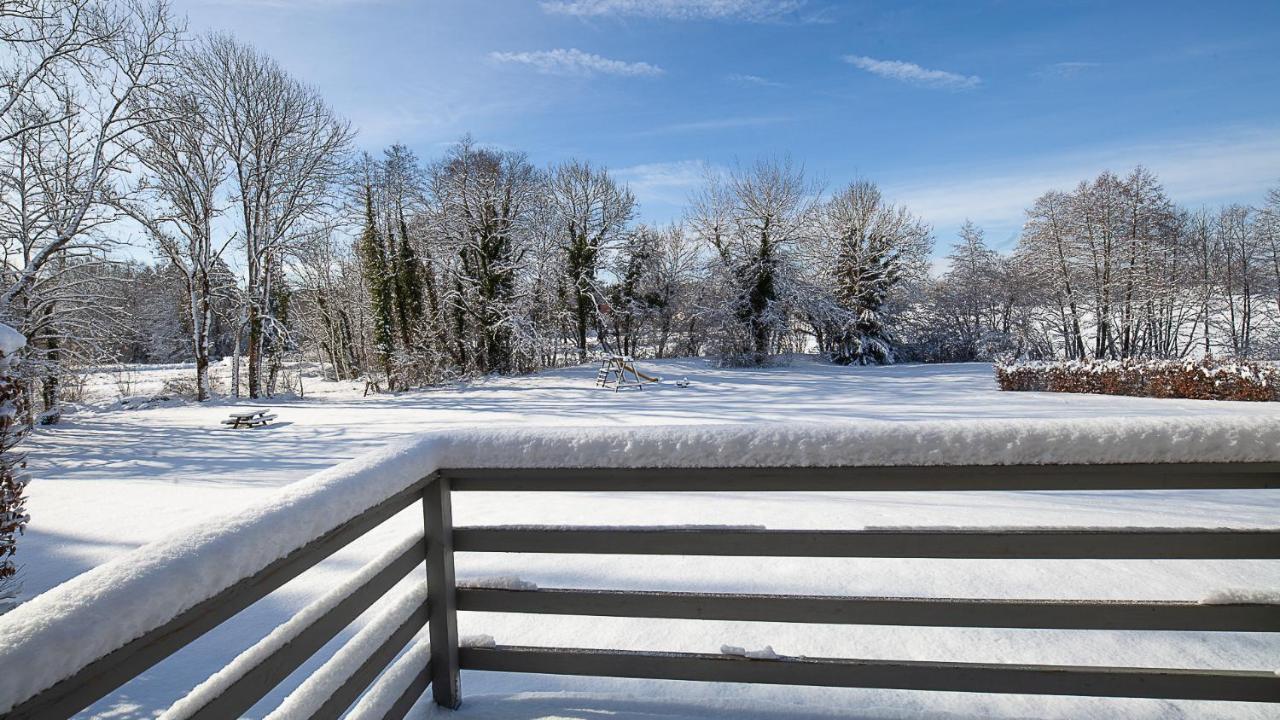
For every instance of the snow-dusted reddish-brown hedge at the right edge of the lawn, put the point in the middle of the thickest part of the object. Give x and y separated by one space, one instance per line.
1195 380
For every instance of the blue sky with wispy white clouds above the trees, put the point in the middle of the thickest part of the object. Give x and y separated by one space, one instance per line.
958 110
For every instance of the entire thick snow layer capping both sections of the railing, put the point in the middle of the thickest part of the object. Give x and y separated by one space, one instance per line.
60 632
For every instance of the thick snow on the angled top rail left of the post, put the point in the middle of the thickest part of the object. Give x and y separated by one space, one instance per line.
93 614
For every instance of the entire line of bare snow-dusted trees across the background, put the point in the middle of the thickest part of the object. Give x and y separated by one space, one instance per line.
168 198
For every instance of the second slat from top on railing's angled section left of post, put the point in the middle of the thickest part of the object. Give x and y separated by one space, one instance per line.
254 686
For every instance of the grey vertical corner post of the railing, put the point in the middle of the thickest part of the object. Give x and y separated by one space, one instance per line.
442 594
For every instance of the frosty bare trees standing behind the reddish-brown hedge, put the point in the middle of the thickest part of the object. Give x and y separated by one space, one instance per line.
1113 270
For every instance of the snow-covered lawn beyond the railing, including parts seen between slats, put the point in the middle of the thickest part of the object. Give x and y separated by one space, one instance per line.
109 481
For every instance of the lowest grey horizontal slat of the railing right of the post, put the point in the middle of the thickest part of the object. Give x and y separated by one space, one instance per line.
917 676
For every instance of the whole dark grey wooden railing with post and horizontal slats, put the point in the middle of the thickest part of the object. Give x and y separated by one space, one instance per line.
445 598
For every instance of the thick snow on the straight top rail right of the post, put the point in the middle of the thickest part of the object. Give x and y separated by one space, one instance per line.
925 443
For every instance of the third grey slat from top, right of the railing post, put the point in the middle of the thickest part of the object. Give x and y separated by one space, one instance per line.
956 613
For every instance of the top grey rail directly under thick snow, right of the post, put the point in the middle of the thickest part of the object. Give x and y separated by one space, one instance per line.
1190 476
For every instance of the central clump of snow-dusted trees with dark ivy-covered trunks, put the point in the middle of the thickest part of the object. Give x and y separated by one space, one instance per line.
481 262
